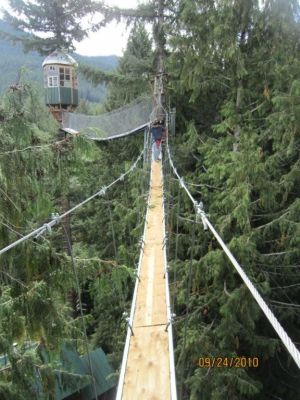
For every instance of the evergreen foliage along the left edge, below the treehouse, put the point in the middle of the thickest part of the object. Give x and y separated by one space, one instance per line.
33 277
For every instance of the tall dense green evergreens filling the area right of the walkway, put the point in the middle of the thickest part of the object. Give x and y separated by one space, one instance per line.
240 147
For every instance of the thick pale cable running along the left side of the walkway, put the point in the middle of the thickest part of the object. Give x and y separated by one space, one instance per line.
56 218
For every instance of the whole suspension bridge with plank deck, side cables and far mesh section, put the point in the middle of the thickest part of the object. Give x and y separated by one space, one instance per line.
147 369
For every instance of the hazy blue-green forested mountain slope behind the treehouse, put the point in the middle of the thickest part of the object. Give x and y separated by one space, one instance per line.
13 59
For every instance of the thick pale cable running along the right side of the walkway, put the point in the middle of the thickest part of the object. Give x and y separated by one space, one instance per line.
293 351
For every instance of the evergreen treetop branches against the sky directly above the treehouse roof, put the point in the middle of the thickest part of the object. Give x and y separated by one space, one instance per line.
48 25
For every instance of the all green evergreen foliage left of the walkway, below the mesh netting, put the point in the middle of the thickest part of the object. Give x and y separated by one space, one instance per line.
37 278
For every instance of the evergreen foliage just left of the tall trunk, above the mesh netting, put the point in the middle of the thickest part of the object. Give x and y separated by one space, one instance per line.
139 62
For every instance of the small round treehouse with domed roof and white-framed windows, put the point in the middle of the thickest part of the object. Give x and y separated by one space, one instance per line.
60 81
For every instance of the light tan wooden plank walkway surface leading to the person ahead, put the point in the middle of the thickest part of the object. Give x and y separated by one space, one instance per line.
147 374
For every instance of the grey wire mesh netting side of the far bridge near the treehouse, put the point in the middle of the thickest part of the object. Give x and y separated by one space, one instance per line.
117 123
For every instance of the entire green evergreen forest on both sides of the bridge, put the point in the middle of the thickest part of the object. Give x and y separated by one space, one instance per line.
232 71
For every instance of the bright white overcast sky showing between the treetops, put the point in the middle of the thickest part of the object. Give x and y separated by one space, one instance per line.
109 40
